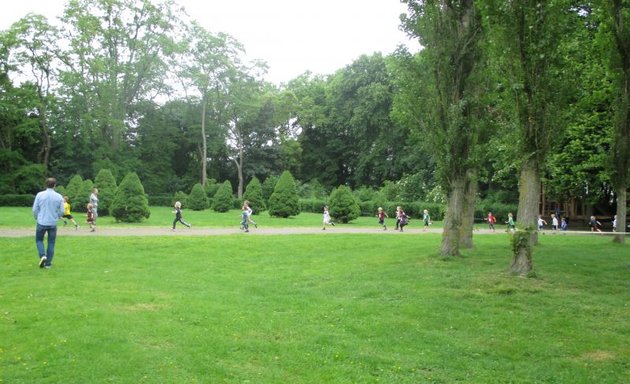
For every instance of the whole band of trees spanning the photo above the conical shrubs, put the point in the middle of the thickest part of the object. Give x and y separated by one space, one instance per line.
505 94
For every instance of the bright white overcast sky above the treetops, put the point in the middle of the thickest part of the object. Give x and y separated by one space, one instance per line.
292 36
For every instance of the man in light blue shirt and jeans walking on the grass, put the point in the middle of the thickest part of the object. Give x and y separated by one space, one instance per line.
47 209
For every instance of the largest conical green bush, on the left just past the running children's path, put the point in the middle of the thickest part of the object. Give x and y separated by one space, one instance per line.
130 203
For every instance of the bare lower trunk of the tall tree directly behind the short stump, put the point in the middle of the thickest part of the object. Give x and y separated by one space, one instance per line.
528 199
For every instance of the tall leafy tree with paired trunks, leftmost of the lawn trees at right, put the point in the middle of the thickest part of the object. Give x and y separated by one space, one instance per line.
450 31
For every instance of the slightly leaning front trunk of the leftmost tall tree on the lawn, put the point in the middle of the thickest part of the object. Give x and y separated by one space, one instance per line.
451 235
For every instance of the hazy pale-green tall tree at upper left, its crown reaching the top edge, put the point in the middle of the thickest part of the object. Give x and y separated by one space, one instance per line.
117 57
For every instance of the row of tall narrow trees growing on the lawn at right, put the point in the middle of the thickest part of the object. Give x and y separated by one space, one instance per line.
490 65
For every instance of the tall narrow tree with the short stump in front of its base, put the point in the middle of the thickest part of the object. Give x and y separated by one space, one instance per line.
525 36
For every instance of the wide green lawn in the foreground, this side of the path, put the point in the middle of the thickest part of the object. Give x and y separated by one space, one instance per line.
333 308
